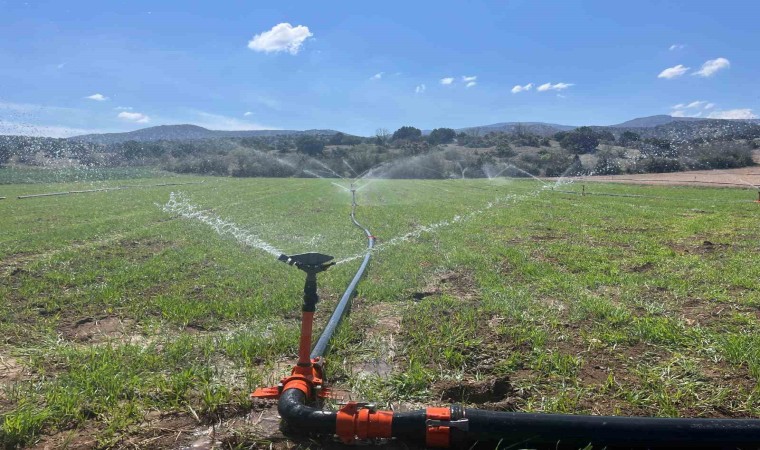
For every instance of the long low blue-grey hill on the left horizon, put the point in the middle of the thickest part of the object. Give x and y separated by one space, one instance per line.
186 132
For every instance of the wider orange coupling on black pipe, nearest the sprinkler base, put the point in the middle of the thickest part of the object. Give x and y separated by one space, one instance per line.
362 421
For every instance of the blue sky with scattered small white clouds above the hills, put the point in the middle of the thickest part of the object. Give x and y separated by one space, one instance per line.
74 67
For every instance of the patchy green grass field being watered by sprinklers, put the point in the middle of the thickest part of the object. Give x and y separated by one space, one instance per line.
124 324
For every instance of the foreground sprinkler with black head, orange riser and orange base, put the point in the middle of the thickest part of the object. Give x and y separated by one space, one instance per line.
308 371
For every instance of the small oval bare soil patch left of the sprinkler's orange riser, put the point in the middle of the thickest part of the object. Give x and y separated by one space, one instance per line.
92 330
